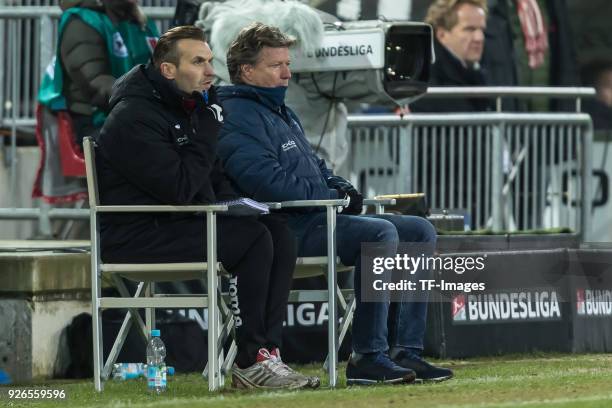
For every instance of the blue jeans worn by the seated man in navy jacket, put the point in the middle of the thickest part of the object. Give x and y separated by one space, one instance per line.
376 325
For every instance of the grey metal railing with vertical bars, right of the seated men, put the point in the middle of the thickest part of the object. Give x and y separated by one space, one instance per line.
506 171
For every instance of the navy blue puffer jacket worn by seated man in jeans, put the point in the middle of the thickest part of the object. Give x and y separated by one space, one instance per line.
265 152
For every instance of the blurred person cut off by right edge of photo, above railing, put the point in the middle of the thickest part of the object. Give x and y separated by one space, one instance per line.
598 74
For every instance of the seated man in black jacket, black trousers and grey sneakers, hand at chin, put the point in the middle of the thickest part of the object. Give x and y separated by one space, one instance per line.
158 146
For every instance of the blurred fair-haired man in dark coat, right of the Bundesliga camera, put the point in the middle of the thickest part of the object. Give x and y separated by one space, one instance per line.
459 27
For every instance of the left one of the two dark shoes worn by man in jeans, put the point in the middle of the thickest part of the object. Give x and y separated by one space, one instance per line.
369 369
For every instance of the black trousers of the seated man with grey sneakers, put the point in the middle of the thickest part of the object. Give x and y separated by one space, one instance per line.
259 253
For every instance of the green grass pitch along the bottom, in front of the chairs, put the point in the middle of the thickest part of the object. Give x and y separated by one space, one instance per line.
537 380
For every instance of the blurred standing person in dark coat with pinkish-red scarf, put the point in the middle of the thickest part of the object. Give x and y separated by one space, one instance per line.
529 43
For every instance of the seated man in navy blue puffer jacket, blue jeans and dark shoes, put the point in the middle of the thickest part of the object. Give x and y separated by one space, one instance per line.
266 154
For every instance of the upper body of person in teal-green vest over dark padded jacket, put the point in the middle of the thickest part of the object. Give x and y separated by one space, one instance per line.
98 42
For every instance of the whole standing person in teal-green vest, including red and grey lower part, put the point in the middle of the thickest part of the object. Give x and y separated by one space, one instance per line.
98 41
